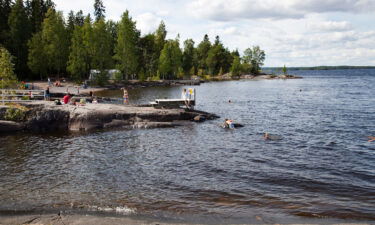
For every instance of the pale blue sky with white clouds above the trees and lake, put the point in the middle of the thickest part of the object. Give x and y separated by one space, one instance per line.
291 32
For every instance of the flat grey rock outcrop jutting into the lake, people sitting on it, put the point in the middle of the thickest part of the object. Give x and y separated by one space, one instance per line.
43 116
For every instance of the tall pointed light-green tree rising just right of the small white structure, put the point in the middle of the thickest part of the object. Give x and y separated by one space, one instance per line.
126 49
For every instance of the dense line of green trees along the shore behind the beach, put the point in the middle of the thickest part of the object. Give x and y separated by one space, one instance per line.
44 43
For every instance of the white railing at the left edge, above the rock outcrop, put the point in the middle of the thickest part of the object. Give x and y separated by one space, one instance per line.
18 95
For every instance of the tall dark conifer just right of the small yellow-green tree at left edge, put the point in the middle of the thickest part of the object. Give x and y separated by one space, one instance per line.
19 35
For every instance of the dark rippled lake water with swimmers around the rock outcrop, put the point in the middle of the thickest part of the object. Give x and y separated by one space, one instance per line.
321 168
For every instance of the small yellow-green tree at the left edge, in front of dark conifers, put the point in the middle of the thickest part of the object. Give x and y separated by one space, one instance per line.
7 76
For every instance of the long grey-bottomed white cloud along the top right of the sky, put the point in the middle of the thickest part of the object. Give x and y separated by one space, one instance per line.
223 10
